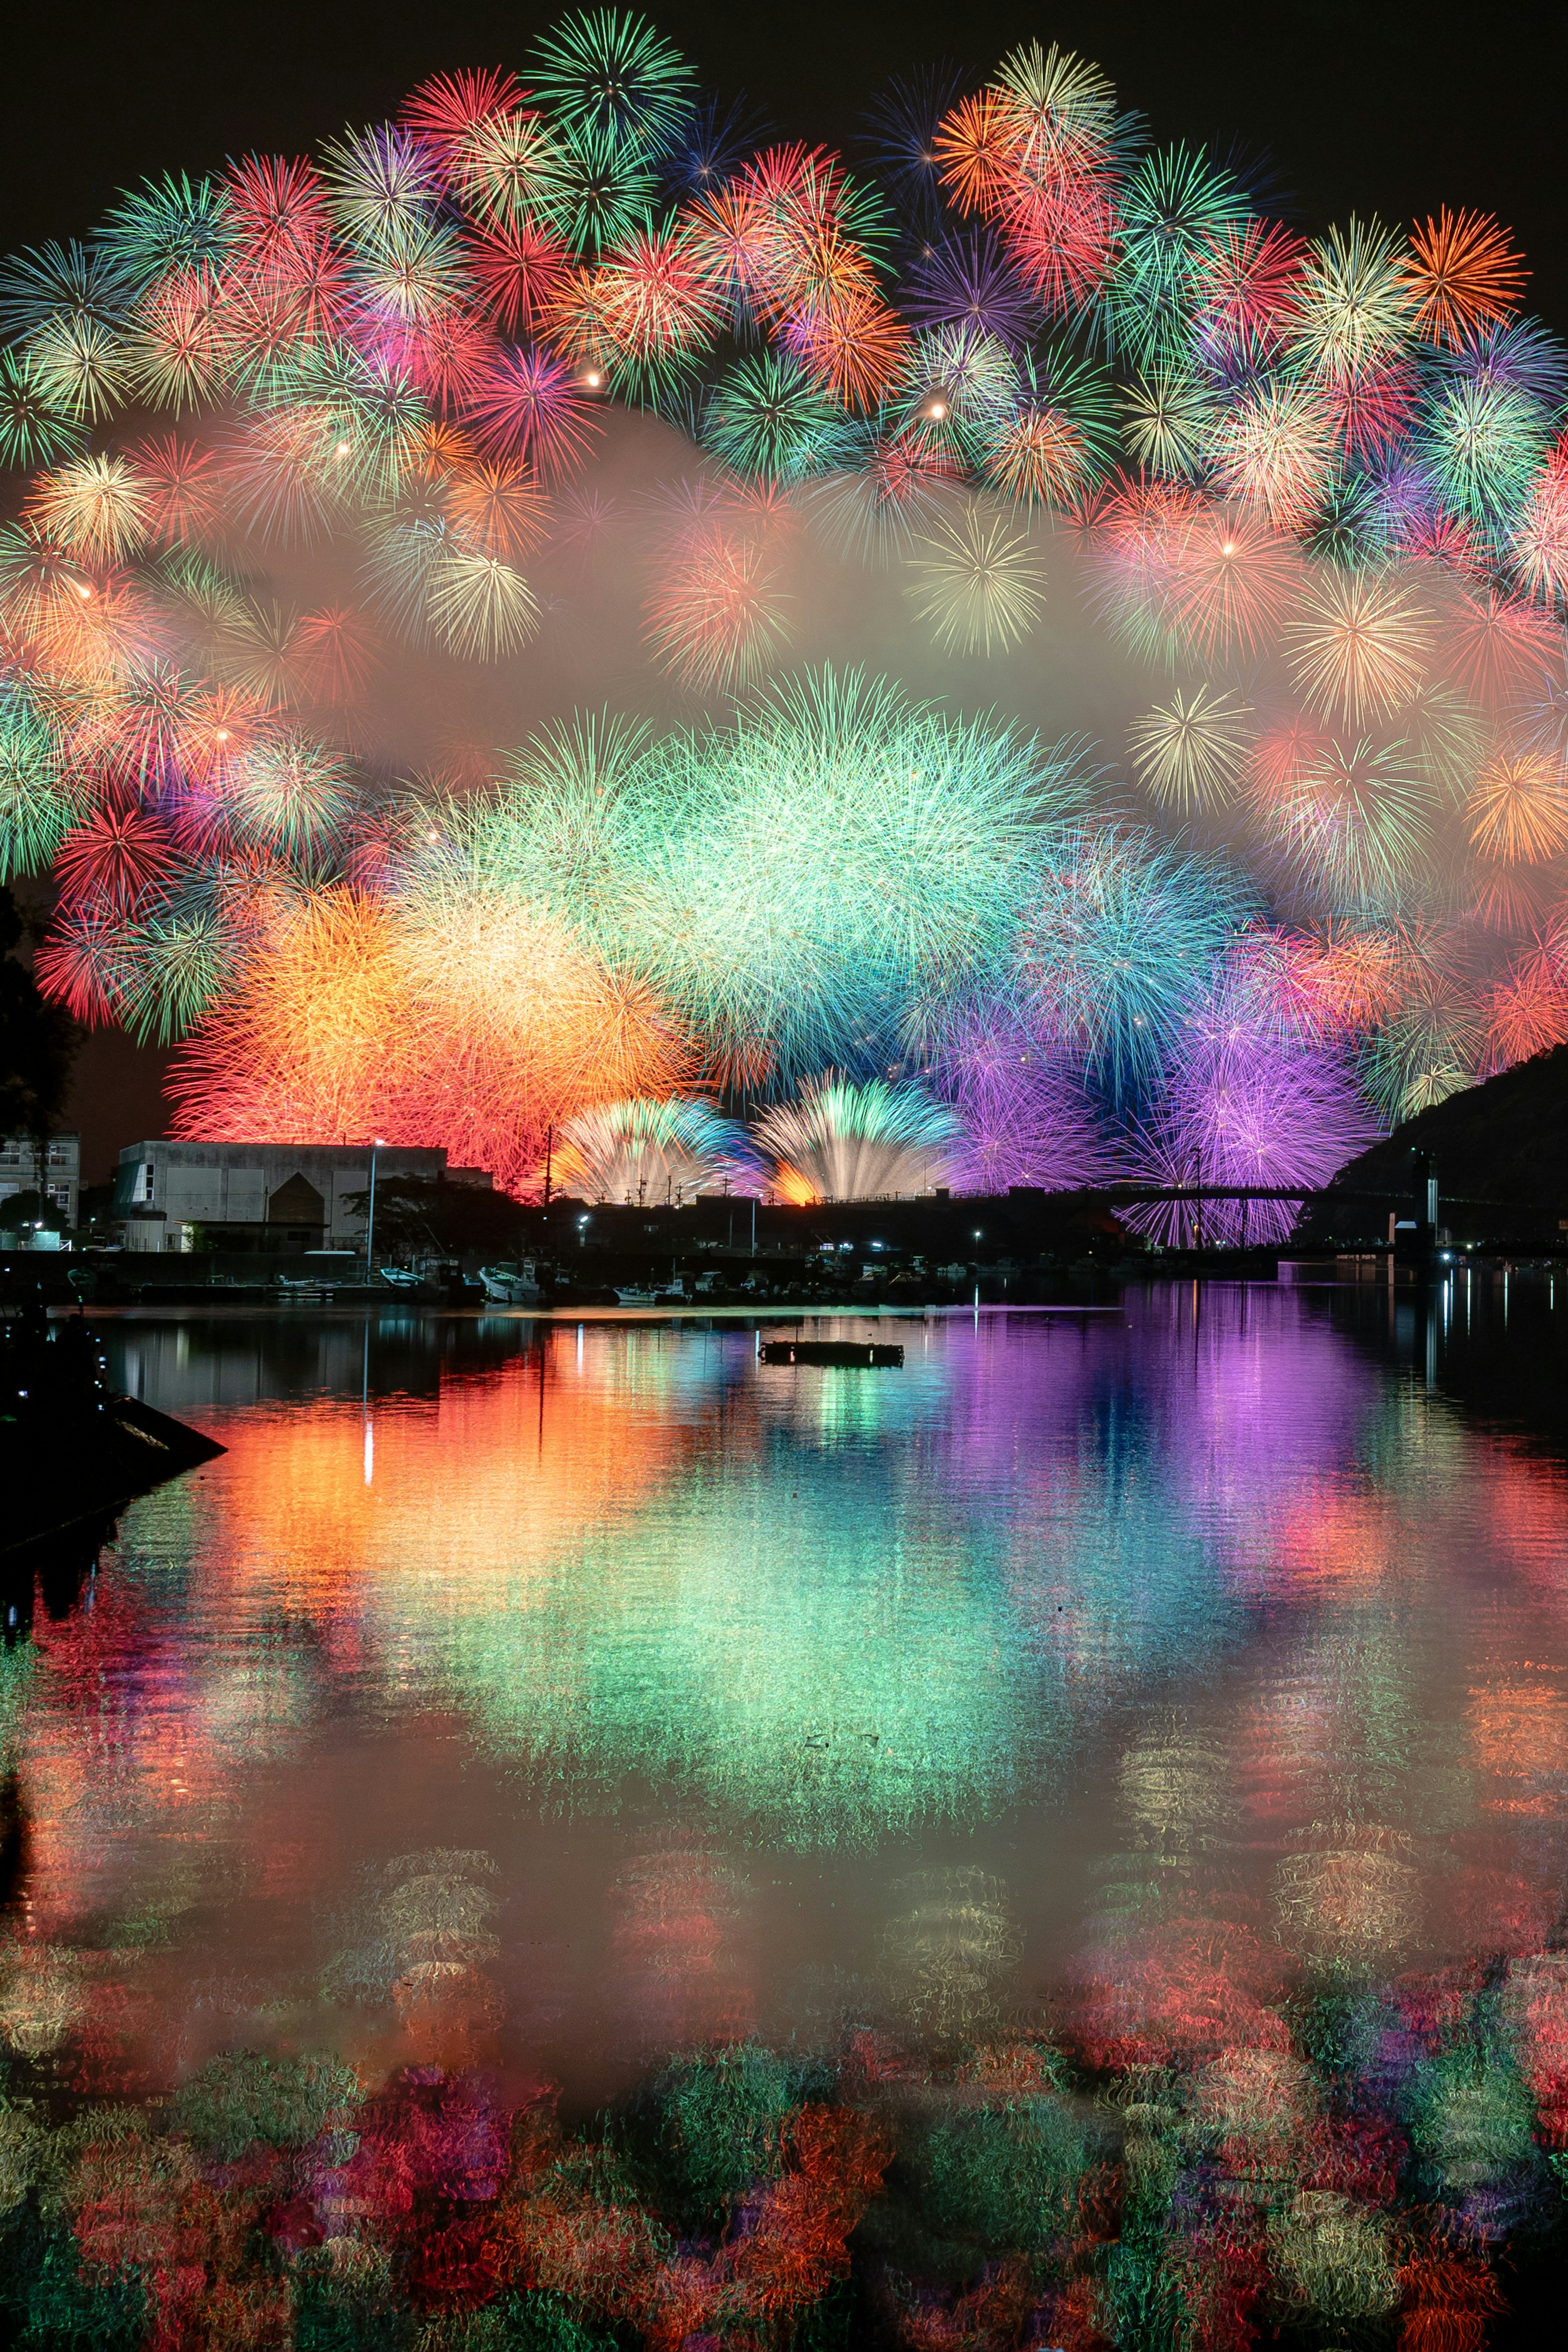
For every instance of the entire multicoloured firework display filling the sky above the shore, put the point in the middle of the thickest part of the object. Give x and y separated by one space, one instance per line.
330 472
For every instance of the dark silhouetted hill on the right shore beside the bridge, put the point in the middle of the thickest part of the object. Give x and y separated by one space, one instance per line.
1503 1142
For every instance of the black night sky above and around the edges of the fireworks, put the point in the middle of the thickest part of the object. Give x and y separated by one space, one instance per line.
1360 107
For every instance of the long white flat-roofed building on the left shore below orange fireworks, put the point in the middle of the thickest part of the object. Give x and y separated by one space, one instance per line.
255 1196
